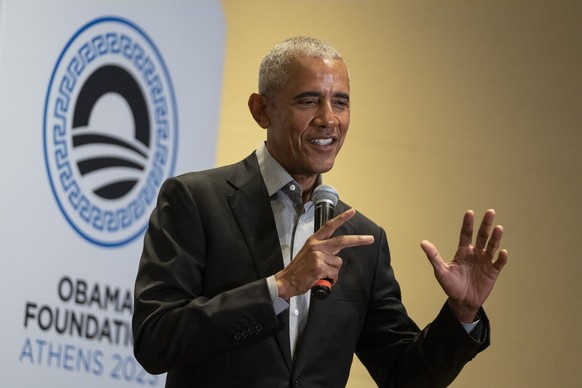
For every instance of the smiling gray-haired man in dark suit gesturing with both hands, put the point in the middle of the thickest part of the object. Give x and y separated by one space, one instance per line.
223 287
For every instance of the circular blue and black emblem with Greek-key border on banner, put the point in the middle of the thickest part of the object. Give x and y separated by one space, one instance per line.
110 130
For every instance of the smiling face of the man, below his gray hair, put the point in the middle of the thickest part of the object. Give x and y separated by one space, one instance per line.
309 117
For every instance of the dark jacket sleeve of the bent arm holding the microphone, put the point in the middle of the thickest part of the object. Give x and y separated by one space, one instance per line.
176 322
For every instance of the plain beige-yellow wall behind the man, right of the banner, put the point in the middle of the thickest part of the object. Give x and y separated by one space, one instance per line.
455 105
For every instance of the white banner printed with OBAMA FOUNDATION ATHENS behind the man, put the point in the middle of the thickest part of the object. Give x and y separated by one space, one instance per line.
100 101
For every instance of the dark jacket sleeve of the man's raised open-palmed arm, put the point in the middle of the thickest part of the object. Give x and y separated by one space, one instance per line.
397 353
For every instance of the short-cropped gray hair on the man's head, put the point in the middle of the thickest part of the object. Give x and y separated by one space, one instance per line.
275 67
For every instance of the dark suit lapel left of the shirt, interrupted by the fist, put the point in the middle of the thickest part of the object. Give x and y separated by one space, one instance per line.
251 208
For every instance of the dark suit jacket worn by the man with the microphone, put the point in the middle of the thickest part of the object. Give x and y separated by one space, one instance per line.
203 312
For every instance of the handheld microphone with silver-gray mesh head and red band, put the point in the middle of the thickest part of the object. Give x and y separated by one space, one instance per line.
325 198
